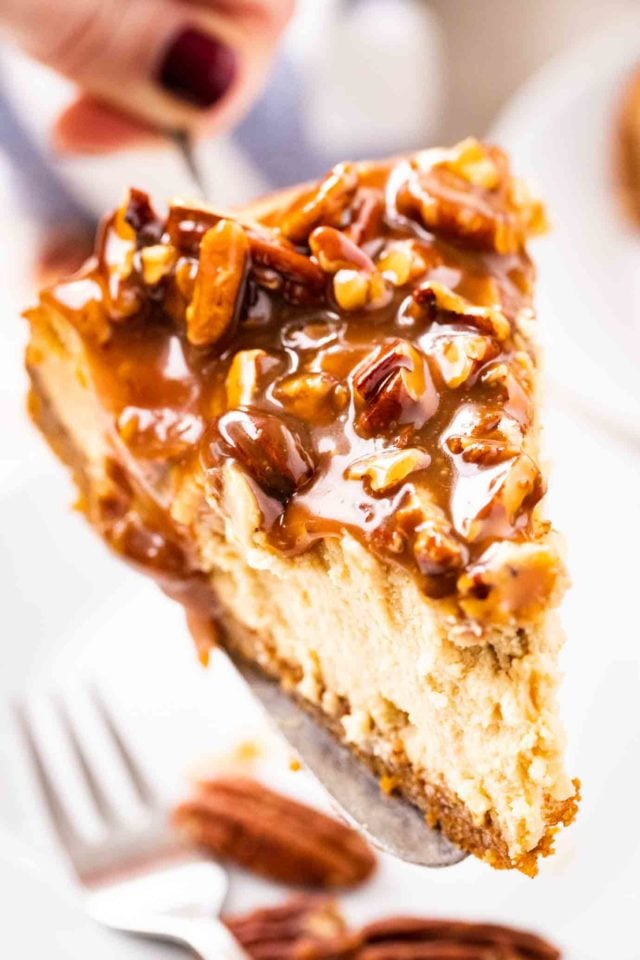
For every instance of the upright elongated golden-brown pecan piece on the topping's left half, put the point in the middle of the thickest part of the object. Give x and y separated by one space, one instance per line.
219 284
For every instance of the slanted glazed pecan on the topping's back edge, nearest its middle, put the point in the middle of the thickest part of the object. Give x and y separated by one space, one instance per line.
326 205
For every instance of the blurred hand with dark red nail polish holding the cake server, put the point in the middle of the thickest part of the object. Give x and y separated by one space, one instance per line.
145 66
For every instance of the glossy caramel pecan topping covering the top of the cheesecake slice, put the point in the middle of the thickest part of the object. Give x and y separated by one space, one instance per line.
362 351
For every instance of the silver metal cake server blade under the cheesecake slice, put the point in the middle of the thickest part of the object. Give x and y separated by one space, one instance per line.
391 823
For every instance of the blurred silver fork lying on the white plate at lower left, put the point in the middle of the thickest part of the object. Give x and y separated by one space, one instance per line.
137 877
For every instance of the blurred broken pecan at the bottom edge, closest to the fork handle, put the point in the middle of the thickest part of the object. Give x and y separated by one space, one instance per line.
308 927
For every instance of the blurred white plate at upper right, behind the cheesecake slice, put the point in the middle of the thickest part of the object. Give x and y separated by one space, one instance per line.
560 131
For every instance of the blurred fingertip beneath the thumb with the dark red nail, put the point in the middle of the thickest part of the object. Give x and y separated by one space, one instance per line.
89 126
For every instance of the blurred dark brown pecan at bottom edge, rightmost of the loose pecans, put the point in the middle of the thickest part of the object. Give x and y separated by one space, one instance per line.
415 938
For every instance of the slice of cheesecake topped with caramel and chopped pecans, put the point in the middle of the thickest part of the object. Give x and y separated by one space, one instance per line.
314 422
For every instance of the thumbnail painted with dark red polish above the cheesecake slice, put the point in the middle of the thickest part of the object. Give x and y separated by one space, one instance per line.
198 68
